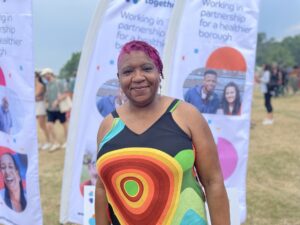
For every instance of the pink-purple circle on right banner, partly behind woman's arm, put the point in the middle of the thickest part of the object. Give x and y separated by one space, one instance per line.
228 157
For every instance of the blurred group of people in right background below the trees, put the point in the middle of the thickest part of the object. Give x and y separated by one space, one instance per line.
275 82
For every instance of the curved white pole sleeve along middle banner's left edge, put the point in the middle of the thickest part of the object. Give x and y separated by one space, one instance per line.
86 54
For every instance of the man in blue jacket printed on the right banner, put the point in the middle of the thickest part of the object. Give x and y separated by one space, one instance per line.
203 97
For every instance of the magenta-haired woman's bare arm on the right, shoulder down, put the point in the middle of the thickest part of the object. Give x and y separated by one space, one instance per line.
207 163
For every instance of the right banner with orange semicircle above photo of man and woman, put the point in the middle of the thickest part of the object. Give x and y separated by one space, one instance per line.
211 65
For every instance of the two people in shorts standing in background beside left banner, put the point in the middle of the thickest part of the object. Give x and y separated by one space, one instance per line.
50 92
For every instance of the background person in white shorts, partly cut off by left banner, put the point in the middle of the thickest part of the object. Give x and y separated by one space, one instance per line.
40 108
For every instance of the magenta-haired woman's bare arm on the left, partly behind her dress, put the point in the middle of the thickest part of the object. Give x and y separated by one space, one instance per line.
101 203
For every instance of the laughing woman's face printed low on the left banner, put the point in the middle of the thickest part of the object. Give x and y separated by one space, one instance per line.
9 172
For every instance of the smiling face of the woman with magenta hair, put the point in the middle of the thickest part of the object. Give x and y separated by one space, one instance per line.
139 78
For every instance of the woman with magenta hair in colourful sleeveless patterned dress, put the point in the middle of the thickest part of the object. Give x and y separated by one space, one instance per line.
148 149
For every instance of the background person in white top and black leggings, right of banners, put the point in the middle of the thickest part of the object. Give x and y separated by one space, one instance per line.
264 80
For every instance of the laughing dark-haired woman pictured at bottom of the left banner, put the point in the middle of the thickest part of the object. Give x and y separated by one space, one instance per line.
14 195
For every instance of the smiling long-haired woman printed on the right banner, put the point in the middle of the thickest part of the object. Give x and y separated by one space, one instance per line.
231 100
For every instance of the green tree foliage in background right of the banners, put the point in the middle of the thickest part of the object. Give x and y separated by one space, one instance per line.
284 53
